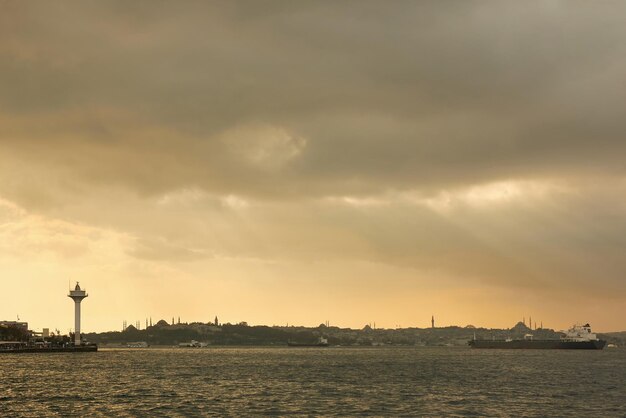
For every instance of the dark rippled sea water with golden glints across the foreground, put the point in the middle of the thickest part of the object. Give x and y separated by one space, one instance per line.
343 381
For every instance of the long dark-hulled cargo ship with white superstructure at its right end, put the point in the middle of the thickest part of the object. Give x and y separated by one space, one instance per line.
577 337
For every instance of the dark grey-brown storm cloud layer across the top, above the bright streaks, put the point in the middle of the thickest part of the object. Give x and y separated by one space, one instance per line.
387 96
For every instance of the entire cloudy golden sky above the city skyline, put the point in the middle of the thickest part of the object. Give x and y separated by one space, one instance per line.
282 162
